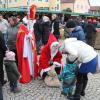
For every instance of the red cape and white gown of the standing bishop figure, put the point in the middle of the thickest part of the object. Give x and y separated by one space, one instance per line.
27 58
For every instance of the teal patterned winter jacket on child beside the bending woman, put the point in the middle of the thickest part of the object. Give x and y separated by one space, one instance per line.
68 74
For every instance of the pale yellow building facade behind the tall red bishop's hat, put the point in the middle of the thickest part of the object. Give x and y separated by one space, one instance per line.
41 4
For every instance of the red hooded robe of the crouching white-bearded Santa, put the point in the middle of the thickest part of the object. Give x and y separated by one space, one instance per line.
45 57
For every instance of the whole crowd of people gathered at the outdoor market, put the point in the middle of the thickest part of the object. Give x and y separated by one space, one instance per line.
16 45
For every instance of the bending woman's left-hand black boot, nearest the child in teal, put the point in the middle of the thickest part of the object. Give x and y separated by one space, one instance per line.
78 90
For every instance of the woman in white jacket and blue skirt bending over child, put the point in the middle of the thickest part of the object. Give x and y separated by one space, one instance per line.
87 58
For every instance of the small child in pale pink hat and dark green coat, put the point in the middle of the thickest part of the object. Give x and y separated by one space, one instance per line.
12 71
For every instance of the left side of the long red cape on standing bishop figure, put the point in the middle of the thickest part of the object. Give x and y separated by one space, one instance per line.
23 64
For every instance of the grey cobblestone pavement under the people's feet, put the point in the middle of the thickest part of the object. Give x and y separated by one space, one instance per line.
37 90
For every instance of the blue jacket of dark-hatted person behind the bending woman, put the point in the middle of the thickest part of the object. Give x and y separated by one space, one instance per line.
78 33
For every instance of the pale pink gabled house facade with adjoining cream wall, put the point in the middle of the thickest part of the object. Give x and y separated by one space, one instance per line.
81 6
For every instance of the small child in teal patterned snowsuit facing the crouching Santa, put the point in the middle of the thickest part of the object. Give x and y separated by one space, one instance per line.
68 78
